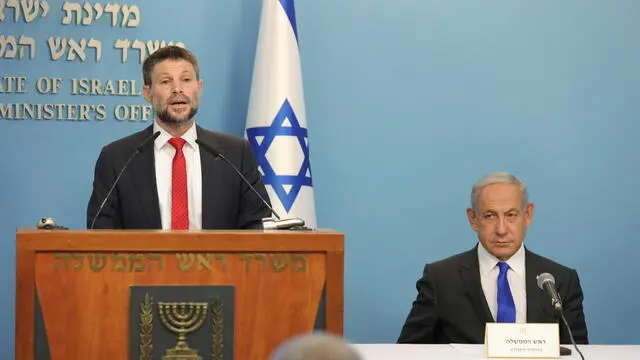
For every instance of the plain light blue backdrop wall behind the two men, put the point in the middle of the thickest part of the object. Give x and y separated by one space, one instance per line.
408 103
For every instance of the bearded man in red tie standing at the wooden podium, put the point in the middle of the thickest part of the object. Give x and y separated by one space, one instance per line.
171 177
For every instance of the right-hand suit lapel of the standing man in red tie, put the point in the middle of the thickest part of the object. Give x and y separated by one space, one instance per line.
211 181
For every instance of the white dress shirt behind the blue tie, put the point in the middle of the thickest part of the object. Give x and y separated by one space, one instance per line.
489 271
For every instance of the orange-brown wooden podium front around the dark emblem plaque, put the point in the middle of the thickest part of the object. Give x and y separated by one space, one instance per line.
83 280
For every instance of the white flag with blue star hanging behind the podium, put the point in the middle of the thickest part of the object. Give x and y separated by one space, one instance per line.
276 121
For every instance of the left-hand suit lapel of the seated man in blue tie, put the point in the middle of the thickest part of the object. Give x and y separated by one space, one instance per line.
470 273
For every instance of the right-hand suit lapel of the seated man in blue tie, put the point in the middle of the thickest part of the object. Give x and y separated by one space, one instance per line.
536 311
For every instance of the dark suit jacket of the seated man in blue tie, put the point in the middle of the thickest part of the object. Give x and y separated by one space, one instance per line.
451 307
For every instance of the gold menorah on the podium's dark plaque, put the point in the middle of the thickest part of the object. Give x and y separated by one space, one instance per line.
182 319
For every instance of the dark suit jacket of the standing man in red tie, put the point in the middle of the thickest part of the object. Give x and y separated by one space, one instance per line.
227 202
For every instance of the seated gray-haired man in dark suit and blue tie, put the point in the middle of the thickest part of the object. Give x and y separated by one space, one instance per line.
495 281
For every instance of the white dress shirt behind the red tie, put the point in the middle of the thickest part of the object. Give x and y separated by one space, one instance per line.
164 153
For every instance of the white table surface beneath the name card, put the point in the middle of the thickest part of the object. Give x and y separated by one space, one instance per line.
469 352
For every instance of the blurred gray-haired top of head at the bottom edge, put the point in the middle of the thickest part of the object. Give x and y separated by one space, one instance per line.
316 346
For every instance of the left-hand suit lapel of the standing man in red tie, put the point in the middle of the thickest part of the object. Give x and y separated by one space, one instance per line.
144 175
